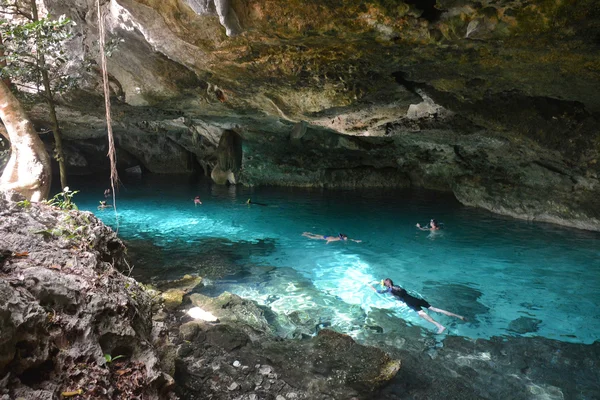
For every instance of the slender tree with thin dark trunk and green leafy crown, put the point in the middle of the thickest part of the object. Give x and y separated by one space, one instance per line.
33 55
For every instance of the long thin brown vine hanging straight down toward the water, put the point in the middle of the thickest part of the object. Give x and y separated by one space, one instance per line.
112 154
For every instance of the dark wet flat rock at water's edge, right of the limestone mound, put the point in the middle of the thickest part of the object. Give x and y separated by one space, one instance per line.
330 365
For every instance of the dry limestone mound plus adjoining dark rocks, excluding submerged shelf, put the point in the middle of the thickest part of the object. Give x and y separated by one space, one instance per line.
73 326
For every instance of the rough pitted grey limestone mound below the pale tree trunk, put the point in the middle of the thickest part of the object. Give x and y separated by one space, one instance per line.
64 307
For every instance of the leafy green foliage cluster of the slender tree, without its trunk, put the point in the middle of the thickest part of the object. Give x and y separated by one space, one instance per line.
26 41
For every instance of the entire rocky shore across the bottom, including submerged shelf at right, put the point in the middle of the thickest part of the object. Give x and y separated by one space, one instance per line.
73 326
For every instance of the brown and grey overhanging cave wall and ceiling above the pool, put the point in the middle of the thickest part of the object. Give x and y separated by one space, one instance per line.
495 101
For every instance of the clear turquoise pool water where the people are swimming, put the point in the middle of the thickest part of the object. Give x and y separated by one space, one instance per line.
508 277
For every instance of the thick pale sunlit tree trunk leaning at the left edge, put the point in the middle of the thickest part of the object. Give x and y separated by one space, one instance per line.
28 170
